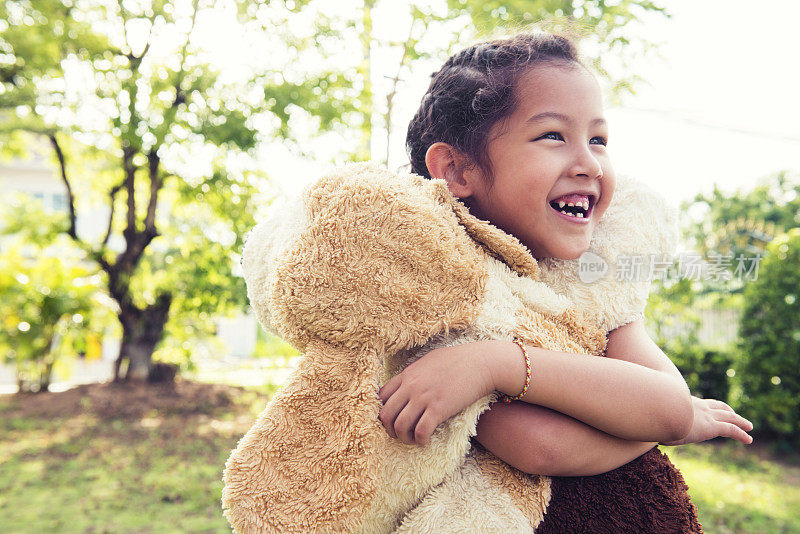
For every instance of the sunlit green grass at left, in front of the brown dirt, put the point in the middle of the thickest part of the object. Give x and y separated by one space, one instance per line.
154 474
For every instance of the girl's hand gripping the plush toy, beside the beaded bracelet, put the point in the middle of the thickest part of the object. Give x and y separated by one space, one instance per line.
432 389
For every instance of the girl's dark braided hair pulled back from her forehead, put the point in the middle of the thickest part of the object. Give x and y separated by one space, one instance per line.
474 90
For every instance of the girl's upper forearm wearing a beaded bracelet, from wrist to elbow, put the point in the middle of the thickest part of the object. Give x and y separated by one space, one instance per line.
620 398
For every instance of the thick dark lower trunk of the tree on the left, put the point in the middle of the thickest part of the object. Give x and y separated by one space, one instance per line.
141 332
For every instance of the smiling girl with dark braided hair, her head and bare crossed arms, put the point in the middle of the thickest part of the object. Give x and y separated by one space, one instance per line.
516 129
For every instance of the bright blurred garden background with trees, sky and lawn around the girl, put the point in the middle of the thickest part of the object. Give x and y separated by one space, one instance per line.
141 139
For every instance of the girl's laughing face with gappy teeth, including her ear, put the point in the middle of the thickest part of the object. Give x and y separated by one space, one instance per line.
550 153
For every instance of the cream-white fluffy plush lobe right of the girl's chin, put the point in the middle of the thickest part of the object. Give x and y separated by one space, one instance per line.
634 242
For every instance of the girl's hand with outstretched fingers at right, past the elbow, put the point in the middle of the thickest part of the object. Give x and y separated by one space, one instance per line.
712 419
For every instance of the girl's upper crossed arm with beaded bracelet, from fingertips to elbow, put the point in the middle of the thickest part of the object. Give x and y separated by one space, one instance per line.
618 397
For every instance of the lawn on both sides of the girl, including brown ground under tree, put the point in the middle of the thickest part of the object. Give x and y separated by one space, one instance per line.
97 459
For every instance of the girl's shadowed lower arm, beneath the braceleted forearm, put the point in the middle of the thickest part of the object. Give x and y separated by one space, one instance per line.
538 440
